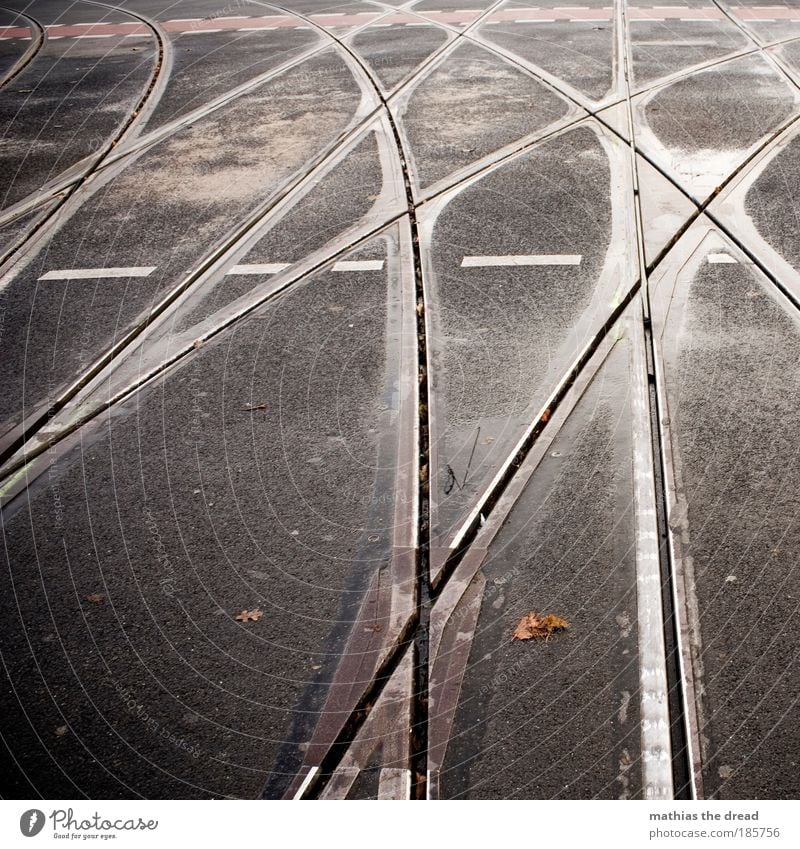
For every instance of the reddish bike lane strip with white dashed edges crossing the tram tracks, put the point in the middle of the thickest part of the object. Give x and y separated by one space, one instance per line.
571 14
